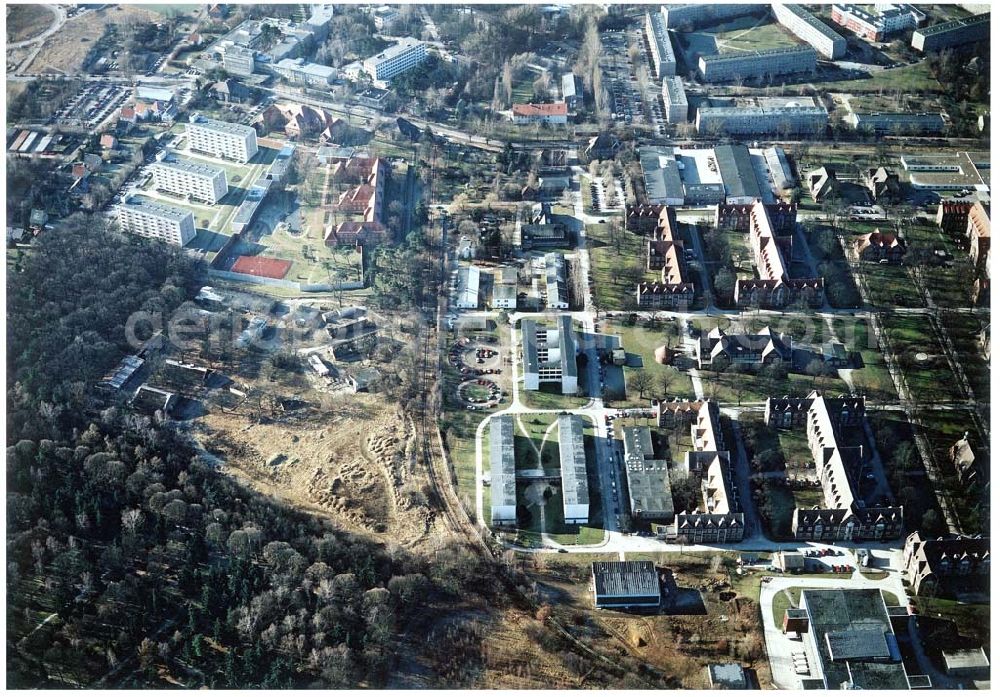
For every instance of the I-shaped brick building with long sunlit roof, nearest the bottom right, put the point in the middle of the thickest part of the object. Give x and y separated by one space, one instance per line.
857 505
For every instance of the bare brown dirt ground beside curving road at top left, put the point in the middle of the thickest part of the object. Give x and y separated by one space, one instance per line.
64 51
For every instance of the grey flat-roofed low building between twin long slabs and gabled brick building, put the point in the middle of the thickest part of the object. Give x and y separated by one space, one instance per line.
648 477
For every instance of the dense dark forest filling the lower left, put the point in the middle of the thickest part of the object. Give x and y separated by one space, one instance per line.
131 561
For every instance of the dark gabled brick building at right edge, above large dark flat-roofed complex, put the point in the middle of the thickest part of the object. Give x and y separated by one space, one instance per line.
944 564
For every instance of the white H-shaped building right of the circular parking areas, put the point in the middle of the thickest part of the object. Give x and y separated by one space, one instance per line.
549 355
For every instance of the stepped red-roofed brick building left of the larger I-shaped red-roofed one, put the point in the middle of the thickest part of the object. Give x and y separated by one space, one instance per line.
665 253
